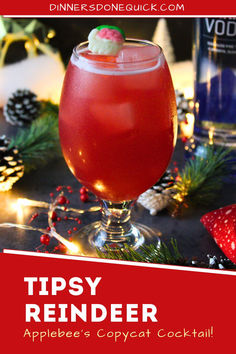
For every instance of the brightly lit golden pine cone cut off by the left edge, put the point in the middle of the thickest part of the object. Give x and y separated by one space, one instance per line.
11 165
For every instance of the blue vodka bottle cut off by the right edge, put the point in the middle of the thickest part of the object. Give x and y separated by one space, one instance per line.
215 84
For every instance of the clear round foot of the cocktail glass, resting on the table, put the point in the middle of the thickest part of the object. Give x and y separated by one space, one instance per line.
93 236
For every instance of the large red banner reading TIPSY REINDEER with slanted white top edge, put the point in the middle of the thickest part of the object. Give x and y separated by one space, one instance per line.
75 303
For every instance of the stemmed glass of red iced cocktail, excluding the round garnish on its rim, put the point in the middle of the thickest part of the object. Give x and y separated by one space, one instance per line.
117 124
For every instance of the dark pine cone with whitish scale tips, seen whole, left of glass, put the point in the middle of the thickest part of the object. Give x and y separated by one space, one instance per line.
21 108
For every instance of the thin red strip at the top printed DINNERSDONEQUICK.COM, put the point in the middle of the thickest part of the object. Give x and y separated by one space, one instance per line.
162 8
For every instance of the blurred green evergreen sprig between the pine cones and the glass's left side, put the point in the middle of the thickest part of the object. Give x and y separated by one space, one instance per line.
39 143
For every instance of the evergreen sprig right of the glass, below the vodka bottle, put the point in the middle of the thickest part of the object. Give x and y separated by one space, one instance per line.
202 178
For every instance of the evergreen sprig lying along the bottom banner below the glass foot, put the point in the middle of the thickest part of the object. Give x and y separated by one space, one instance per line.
148 254
